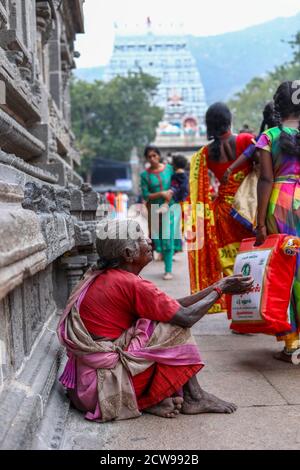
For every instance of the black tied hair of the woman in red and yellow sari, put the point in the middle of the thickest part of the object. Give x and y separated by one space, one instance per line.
218 122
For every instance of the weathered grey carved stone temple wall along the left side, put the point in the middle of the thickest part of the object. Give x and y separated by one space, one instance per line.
47 214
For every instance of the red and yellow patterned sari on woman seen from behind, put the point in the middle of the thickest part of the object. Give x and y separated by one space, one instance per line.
221 235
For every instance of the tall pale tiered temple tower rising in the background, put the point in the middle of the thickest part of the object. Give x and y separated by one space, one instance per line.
180 92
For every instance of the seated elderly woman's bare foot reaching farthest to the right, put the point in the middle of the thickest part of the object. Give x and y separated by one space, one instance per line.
206 403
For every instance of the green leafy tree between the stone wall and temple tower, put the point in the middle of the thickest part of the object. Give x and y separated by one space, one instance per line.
109 119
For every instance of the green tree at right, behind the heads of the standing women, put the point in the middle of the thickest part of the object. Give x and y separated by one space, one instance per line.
247 106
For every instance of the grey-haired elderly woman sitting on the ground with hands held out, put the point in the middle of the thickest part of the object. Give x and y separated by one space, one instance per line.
129 344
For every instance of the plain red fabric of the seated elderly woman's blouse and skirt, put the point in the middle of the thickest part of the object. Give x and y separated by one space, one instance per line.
114 301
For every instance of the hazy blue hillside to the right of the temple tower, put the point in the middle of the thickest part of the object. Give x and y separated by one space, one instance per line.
229 61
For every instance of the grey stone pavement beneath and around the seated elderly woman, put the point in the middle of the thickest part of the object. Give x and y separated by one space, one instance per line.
239 368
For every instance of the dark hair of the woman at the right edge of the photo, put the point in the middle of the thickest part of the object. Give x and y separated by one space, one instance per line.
287 105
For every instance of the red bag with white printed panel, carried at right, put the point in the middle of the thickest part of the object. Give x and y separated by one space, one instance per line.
272 265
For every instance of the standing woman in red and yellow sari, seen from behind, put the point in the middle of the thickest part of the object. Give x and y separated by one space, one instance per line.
218 233
